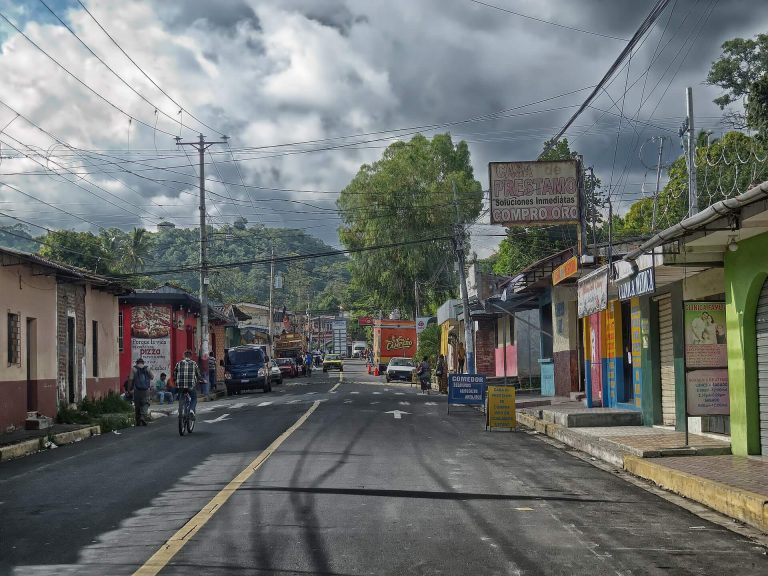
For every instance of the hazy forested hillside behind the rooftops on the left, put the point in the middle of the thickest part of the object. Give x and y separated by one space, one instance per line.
141 258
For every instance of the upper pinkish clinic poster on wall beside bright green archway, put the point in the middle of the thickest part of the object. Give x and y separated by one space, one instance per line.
705 345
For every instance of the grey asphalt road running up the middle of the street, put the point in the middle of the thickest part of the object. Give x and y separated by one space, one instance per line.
352 490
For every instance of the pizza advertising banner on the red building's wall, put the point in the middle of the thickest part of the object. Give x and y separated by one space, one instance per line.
151 337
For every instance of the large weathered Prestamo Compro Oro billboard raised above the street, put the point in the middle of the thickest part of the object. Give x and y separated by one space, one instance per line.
539 192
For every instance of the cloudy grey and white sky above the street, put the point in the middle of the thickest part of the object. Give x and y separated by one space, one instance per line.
308 90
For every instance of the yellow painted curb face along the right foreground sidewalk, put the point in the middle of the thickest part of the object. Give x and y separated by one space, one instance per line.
743 505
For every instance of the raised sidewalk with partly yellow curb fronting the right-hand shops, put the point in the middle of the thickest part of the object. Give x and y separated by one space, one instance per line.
704 471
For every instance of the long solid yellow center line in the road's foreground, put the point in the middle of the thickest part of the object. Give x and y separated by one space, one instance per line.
160 559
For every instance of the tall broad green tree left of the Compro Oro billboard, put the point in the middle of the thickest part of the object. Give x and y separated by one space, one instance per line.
408 195
